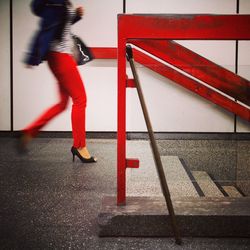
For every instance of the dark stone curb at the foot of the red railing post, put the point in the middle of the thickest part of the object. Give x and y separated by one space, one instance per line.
196 217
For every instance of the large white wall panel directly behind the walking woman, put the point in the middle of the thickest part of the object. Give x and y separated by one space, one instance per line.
35 89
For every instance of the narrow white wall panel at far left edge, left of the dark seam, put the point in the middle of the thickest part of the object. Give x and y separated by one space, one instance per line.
5 65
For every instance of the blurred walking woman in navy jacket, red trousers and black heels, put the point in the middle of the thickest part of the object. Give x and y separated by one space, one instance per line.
54 43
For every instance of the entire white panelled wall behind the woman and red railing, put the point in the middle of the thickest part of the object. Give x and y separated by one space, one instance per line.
172 108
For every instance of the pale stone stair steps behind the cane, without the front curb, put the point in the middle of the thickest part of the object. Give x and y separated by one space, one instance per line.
181 180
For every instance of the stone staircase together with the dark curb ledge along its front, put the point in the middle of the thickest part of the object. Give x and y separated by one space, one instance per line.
202 206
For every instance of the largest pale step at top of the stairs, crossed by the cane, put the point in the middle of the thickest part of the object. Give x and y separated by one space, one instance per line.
145 181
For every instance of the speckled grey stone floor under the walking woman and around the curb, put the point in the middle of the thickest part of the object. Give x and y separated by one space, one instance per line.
49 202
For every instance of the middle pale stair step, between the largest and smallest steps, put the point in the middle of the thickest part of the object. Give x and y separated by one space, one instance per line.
206 184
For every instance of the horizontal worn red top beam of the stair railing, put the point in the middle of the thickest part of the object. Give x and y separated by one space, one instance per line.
184 26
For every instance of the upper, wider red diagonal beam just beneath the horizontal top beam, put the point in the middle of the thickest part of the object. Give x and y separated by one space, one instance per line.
199 67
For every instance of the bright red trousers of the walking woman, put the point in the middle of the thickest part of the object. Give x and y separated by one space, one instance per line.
71 85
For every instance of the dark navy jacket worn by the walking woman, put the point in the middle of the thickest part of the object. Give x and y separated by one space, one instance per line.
53 16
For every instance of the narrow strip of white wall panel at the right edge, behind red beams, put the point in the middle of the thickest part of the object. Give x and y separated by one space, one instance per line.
244 63
